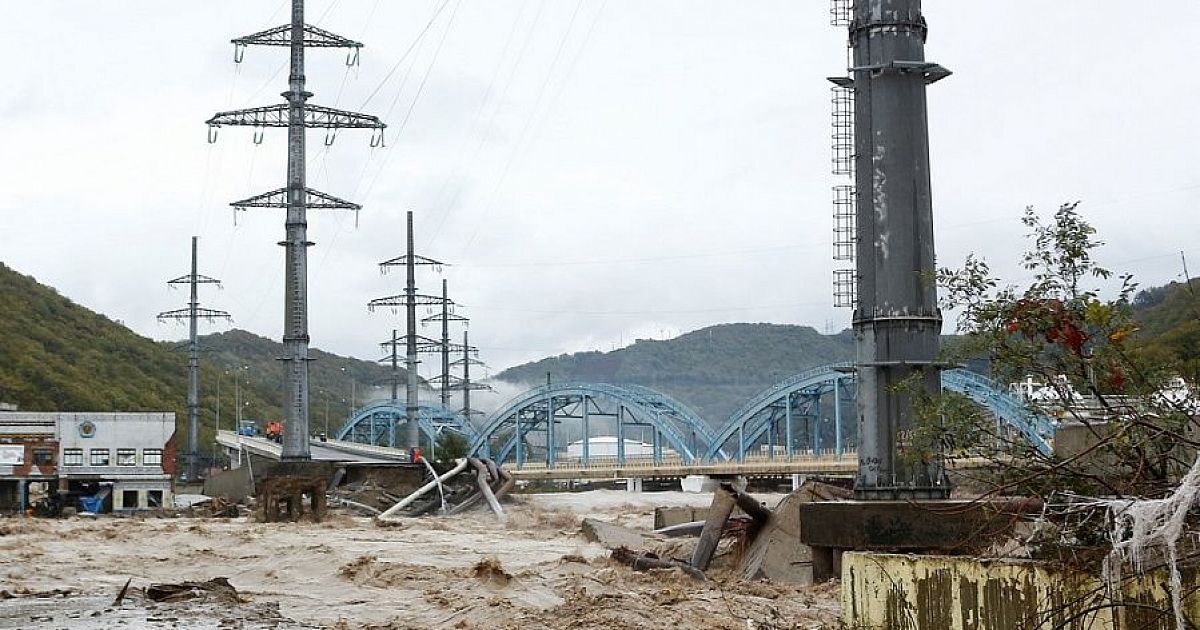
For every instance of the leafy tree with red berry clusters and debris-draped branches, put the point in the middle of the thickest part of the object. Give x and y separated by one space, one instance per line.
1132 477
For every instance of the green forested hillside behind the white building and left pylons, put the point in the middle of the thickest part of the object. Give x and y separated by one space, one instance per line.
58 356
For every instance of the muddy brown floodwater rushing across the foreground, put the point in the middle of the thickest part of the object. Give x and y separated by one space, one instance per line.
465 572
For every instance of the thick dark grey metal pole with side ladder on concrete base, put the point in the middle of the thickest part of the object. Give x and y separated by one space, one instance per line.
897 322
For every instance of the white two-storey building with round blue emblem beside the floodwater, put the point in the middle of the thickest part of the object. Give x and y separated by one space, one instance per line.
127 457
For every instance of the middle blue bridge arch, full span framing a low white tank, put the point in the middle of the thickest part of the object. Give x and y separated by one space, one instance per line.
545 422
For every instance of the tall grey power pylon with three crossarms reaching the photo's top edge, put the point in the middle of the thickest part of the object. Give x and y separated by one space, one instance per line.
297 116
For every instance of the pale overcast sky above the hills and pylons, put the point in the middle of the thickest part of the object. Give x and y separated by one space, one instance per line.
593 171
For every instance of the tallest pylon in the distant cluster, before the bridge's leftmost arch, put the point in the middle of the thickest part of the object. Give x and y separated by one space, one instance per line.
413 343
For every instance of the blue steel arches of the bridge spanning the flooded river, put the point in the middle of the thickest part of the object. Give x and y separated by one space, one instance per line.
811 415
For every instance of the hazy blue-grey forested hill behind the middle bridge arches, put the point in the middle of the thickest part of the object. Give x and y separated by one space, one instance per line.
712 370
